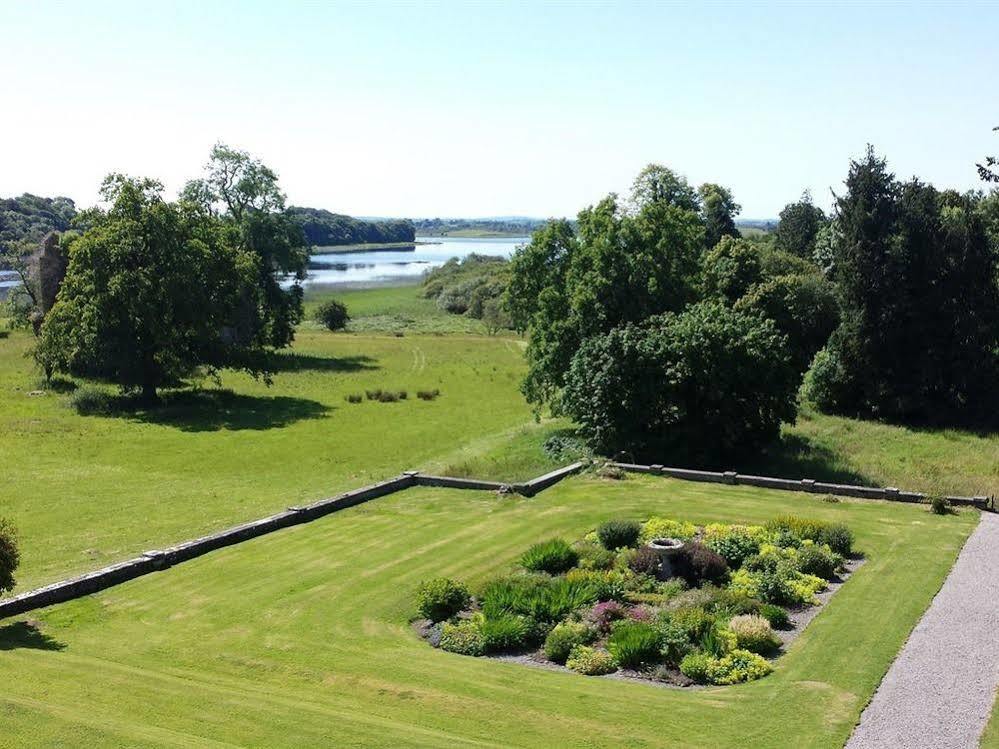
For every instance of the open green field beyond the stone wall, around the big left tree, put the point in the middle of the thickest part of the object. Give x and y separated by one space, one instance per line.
86 490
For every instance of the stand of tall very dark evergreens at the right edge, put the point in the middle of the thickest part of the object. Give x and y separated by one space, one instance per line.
920 334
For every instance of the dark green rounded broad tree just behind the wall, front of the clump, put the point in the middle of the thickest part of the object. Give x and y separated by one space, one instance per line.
698 385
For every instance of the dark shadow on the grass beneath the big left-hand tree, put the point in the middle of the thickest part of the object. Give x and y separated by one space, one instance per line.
214 410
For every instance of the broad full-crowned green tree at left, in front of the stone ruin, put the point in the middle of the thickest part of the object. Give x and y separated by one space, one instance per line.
153 290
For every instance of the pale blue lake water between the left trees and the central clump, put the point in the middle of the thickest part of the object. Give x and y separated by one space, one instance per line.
375 268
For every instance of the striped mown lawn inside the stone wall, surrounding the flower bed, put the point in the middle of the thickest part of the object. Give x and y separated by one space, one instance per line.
301 638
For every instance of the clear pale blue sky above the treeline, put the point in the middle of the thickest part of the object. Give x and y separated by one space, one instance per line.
471 109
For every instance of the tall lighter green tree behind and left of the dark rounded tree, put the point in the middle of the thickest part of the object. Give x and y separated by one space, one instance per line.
615 268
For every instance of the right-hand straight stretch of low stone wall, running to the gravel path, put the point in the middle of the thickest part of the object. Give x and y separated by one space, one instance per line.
803 485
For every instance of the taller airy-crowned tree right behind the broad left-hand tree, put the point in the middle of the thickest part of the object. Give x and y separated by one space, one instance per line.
245 194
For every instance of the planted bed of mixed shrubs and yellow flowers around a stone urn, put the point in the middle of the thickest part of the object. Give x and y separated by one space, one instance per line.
664 600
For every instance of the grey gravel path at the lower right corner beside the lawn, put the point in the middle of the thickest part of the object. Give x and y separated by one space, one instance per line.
939 692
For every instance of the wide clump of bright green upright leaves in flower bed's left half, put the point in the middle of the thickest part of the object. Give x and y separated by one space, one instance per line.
545 600
